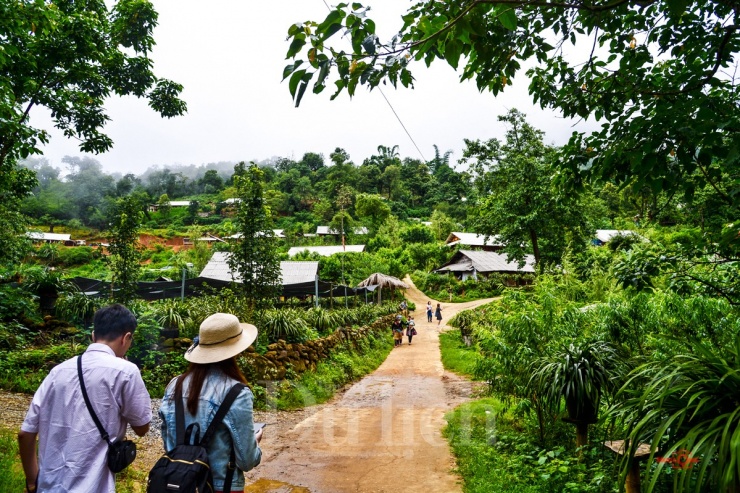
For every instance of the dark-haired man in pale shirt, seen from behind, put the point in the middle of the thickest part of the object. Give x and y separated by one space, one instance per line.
71 453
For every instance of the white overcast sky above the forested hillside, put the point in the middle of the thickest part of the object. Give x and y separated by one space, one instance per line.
230 54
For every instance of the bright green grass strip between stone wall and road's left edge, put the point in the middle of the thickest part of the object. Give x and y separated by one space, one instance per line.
320 385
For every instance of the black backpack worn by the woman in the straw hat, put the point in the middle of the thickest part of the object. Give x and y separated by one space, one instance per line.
185 468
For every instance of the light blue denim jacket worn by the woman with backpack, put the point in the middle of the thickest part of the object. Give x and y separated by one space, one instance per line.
236 431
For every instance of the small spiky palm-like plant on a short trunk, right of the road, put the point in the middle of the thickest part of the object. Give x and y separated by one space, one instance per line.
580 374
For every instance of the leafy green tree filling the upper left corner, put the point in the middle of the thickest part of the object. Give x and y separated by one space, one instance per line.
68 57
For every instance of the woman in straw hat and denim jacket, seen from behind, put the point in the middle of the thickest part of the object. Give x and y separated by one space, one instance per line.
210 376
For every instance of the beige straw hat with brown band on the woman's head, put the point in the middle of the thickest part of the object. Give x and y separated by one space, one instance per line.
221 337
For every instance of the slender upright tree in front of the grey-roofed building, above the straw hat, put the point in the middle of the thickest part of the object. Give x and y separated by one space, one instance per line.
254 256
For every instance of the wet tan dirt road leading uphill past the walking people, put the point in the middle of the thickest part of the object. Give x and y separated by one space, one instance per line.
383 434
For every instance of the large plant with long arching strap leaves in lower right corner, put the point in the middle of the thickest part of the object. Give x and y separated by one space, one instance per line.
688 404
